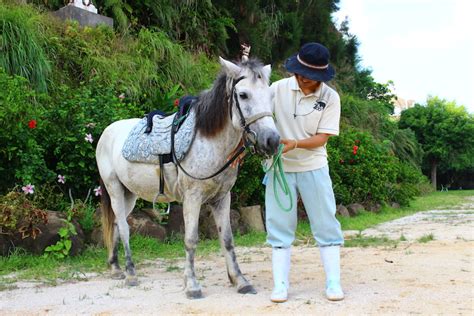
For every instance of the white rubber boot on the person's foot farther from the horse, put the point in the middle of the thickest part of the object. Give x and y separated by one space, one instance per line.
330 257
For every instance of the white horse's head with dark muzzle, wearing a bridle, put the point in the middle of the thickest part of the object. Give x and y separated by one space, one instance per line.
250 100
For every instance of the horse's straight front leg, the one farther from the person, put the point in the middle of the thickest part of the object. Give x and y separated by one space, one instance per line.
191 210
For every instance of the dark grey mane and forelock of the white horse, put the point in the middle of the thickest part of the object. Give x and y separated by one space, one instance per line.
213 108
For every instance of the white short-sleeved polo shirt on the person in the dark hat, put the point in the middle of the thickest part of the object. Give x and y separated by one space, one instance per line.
299 116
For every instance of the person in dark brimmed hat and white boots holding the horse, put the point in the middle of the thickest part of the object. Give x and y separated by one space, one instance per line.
306 112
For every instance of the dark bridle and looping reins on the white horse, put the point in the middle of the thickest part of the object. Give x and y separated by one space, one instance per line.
249 136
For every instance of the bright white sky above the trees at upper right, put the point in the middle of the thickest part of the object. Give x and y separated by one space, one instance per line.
426 47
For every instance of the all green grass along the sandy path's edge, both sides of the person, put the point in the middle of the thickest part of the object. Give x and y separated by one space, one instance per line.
23 266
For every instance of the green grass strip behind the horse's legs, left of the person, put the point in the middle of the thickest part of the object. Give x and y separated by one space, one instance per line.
24 266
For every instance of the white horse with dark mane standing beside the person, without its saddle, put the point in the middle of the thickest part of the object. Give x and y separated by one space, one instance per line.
237 107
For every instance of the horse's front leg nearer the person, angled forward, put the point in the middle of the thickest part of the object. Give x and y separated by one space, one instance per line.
221 212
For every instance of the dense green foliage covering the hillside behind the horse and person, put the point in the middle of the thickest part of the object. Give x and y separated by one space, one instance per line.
162 52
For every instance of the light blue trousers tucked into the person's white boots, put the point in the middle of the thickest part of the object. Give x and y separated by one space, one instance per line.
315 189
